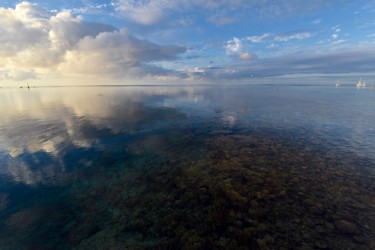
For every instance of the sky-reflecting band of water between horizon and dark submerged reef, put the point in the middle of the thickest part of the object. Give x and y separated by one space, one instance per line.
47 132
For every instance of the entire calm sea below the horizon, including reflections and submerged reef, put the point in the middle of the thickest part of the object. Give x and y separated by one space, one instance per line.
189 167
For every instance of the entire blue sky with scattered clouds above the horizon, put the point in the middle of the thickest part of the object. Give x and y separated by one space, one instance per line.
72 42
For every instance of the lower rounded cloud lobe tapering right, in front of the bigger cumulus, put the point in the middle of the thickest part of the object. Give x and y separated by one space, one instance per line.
117 53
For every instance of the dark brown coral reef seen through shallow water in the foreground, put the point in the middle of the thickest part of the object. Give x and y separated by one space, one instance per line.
204 187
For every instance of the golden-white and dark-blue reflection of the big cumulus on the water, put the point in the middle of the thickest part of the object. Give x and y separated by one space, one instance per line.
44 127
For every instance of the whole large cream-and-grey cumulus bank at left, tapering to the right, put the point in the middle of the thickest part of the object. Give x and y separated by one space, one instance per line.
35 42
